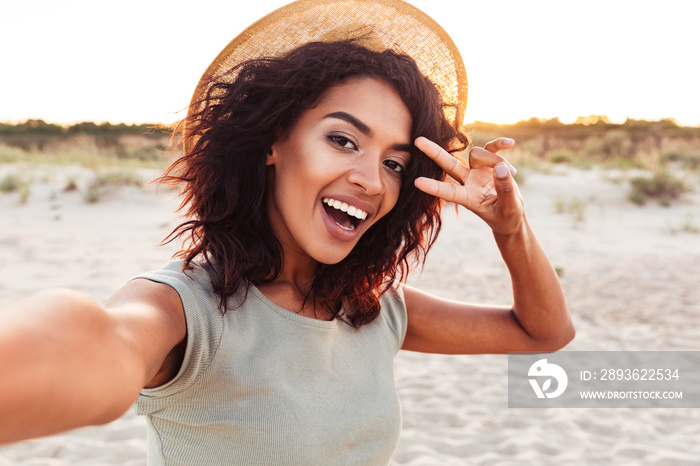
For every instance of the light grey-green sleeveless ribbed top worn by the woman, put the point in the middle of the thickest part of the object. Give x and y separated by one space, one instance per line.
263 385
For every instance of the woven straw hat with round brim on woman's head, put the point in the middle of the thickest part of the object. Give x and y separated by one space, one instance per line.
379 25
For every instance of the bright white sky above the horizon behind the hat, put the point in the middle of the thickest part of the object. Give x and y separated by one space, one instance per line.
138 61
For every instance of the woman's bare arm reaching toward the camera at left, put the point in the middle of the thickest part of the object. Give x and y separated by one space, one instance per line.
66 362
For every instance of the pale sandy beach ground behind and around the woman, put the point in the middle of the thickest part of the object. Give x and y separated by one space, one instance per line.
630 274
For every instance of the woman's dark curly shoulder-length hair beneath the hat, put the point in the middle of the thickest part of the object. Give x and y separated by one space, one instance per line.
224 179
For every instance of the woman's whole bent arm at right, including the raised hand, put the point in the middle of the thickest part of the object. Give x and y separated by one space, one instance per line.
538 320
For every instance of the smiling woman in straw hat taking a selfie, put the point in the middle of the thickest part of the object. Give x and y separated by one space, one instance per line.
312 179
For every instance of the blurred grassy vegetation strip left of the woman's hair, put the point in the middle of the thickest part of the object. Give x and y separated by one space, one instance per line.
113 154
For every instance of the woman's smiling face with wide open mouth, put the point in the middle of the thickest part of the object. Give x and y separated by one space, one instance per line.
338 170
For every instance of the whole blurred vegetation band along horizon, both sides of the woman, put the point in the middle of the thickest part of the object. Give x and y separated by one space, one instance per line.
661 149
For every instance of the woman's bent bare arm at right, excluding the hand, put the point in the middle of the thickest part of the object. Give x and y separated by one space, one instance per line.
538 320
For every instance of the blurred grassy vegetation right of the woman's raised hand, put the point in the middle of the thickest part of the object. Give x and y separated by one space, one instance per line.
666 155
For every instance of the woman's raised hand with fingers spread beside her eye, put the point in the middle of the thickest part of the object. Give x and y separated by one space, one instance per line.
486 185
